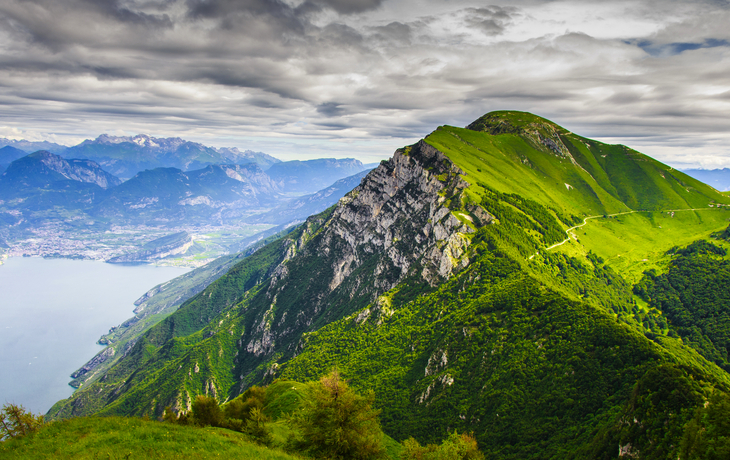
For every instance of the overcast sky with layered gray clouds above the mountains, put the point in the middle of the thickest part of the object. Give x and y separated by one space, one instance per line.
359 78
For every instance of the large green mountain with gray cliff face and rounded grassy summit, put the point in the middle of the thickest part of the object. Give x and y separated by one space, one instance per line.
481 280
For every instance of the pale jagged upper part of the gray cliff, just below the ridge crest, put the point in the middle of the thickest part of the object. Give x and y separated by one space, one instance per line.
399 212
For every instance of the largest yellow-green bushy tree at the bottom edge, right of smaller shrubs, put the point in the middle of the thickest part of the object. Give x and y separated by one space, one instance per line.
337 423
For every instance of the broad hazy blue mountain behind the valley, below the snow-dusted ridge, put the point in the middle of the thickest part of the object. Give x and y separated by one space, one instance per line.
212 195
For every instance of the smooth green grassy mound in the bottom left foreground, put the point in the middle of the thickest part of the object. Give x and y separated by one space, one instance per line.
116 438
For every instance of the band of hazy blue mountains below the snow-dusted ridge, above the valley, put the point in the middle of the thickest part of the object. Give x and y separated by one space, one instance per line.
42 187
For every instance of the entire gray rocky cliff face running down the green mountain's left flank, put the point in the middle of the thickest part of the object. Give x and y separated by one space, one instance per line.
395 224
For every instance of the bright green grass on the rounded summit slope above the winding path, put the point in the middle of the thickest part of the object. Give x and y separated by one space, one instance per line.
599 179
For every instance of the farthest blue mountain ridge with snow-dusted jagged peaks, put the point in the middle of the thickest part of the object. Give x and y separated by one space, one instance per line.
126 155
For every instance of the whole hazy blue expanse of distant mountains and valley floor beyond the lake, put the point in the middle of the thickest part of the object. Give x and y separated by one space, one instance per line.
73 205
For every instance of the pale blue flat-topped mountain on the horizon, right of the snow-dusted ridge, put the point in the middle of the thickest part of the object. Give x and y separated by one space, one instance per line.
310 176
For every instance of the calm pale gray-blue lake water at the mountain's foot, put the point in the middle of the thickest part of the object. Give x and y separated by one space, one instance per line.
52 312
